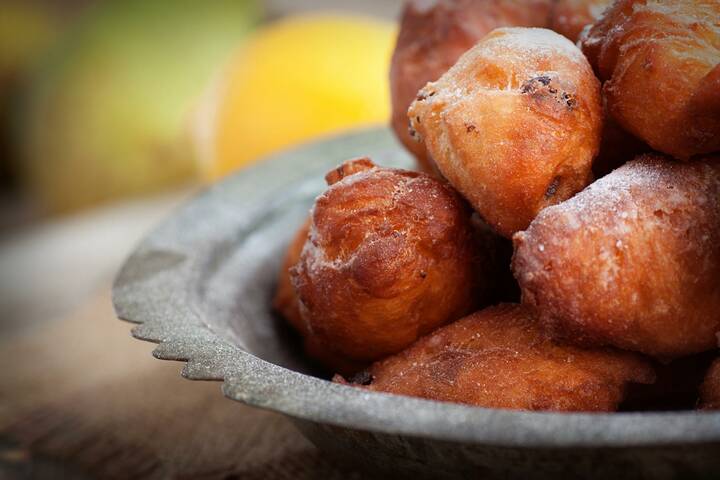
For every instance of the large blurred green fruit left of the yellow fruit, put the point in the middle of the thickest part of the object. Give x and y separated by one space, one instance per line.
108 115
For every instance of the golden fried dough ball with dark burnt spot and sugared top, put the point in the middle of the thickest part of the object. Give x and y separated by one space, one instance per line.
514 125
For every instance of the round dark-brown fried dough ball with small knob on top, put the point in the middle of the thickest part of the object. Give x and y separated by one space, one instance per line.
391 256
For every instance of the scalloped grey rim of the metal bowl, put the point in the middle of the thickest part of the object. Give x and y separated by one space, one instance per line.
246 378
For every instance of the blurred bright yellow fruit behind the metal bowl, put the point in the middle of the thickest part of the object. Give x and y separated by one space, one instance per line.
293 80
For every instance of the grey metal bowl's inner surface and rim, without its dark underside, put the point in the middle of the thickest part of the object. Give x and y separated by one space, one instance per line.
201 285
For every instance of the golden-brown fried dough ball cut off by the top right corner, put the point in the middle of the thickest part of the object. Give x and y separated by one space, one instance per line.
660 63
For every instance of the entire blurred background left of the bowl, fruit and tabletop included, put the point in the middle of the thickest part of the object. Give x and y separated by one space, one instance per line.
113 112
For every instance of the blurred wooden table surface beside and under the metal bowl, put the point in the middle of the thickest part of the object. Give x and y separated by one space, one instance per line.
80 398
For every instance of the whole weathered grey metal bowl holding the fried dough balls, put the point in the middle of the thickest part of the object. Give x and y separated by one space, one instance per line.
201 284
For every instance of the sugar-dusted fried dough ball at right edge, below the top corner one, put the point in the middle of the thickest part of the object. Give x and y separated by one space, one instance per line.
633 261
